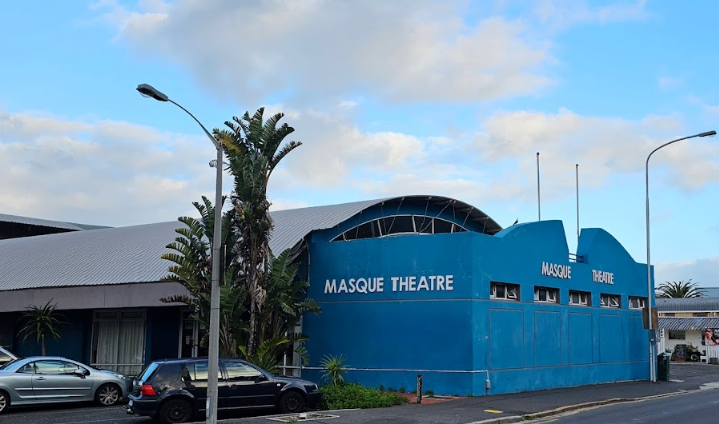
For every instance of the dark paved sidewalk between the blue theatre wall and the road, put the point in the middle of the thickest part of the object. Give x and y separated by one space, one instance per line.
512 407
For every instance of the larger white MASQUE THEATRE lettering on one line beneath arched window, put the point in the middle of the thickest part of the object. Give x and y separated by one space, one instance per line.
399 284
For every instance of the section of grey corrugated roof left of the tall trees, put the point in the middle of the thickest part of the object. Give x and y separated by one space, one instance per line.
78 258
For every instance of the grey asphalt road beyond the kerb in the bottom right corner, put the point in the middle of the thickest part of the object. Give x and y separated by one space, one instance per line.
695 408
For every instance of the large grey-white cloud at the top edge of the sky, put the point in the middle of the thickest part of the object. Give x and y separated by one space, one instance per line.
399 51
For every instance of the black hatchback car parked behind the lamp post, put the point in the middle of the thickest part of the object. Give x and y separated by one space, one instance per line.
175 390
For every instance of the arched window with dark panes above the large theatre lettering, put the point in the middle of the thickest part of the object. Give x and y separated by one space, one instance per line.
400 224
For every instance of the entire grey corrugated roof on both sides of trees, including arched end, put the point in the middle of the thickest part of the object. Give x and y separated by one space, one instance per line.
132 254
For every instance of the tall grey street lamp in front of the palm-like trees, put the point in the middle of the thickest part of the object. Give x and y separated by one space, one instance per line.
213 349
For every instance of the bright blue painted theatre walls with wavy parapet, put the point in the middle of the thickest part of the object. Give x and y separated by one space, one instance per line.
459 338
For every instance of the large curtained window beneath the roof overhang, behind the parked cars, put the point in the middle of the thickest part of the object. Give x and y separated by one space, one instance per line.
118 340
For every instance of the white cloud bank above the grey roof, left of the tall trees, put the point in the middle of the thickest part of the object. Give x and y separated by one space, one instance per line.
105 172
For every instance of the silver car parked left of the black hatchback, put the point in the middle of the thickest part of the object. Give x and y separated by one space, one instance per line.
52 379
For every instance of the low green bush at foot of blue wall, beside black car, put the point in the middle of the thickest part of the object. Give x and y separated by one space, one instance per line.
351 396
